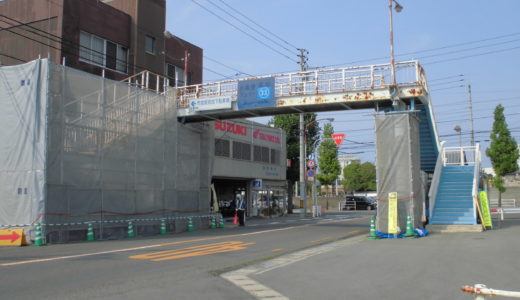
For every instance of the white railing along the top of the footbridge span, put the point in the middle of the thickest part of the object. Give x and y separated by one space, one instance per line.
315 82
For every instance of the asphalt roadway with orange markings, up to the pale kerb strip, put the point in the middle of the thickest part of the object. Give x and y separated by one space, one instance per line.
174 266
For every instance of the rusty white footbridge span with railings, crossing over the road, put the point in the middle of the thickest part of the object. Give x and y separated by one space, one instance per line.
311 91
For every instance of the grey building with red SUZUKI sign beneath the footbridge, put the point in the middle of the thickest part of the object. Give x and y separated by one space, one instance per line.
250 163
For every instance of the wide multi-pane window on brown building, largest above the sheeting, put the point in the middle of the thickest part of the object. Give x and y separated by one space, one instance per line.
97 51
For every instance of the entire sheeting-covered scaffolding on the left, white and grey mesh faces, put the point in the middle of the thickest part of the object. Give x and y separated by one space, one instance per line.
81 148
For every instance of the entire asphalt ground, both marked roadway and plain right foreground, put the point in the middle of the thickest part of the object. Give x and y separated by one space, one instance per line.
279 258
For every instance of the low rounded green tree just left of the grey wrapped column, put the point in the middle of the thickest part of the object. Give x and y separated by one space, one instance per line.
360 177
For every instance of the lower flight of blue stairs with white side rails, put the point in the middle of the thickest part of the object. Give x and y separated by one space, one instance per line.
455 186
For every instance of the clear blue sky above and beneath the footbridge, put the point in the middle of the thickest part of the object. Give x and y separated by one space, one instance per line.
479 39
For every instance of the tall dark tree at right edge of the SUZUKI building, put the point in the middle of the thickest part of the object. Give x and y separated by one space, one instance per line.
291 125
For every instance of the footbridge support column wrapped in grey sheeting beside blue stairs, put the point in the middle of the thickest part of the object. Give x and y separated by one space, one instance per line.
398 169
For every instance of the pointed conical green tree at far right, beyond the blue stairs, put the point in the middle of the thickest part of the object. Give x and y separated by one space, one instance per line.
503 151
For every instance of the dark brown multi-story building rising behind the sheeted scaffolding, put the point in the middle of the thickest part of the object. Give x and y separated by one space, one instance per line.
114 38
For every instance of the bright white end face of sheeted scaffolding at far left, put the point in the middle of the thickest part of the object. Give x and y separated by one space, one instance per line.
23 102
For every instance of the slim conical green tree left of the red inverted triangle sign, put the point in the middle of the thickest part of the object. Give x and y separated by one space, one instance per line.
328 158
